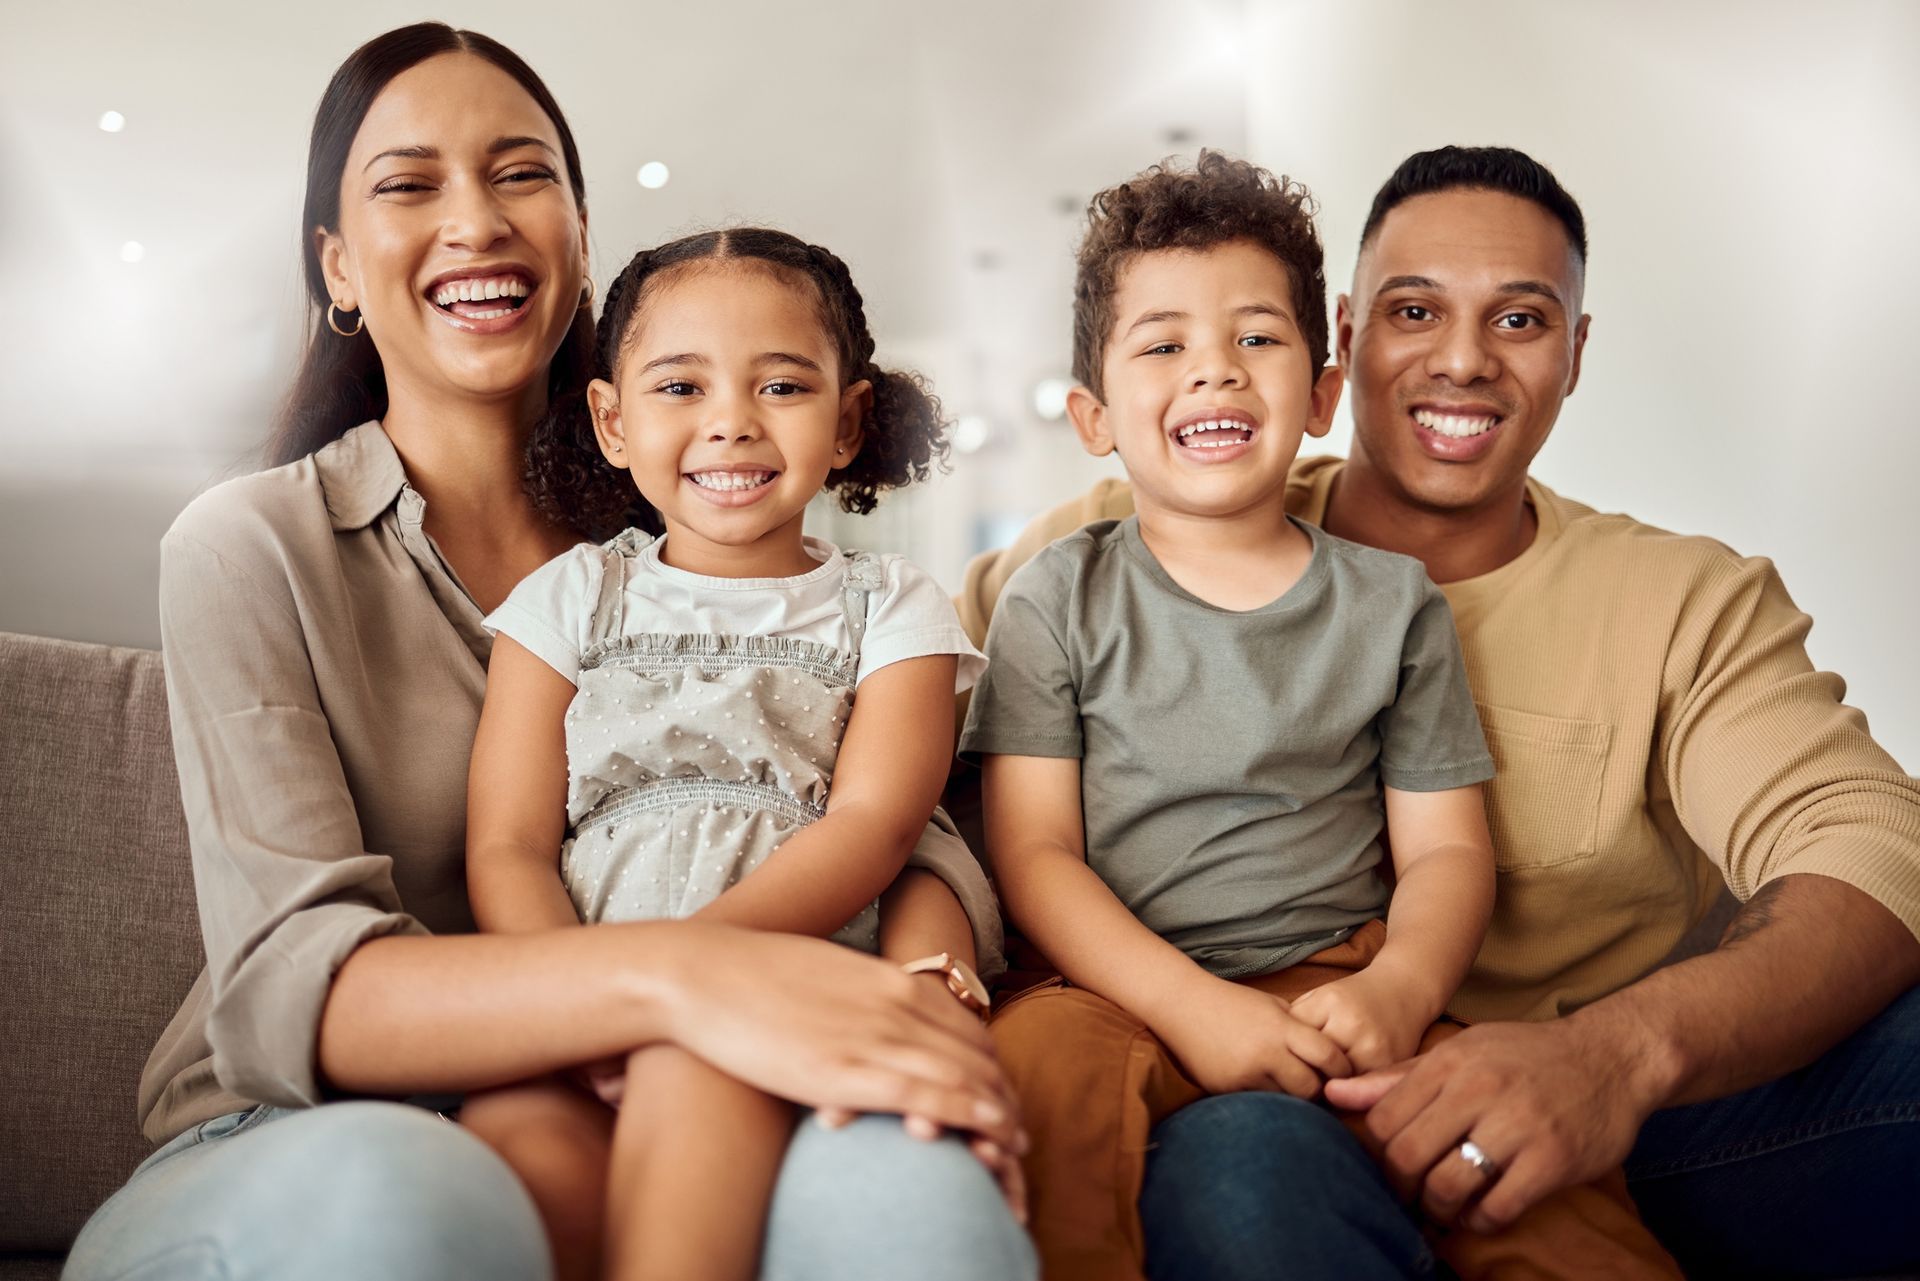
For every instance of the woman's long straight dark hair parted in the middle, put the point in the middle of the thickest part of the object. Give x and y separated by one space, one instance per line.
341 381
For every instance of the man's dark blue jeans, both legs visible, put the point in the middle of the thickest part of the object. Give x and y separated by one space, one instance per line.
1810 1176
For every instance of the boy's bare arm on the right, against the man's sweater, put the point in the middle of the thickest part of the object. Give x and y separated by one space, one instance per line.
1441 909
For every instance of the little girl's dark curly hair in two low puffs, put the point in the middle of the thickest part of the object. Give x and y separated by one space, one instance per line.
905 431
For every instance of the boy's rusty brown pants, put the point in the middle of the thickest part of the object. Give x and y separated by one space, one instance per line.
1093 1082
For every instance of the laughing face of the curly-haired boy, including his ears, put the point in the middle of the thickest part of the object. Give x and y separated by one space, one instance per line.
1209 381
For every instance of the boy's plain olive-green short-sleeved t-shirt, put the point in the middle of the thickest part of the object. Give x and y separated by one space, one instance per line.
1232 763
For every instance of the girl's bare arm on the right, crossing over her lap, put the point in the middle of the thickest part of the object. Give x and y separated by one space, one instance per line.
888 781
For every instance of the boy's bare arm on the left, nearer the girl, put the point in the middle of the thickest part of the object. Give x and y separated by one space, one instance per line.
1226 1036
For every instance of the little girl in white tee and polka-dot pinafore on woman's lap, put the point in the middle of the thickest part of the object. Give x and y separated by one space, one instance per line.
671 723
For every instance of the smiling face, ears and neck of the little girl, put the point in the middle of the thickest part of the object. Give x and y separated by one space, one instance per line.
731 416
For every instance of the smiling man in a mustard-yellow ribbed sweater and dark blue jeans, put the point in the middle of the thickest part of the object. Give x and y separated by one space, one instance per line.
1658 733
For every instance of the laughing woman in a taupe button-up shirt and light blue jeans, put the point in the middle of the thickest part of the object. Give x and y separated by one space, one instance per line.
325 667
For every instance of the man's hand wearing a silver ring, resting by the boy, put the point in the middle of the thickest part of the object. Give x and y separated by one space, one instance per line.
1552 1105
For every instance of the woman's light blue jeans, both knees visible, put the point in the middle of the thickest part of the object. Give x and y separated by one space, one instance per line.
383 1190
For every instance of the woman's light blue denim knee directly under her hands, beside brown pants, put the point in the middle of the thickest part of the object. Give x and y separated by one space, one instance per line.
871 1201
